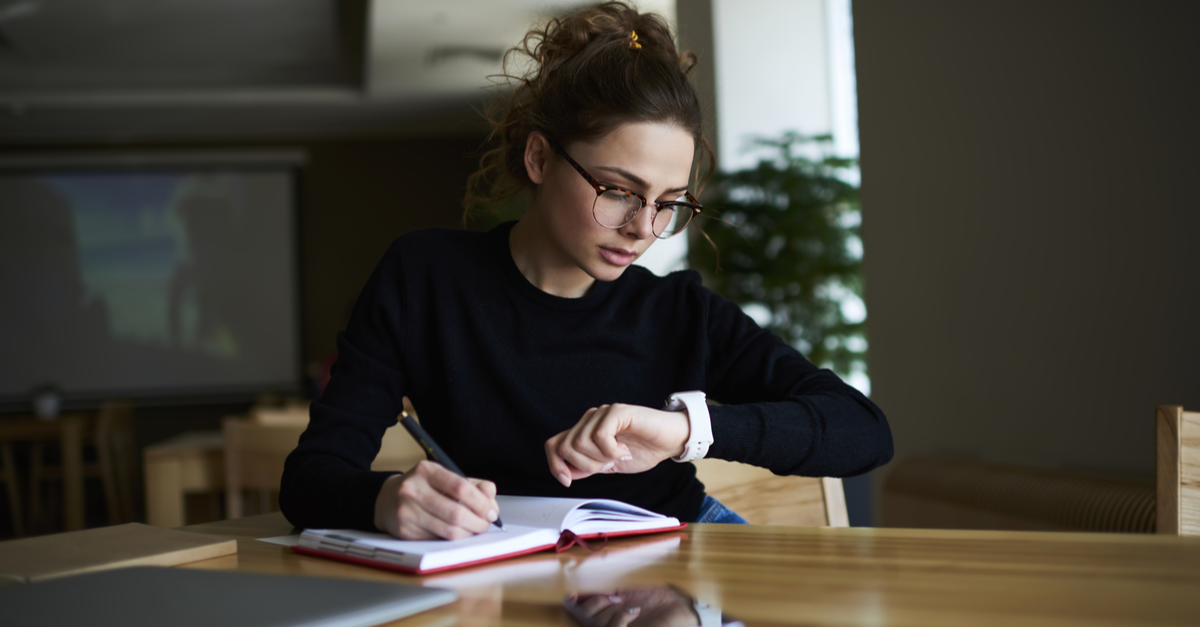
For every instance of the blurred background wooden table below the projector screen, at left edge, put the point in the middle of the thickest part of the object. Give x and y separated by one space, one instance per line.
69 431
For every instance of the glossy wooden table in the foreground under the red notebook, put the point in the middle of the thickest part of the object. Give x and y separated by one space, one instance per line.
809 576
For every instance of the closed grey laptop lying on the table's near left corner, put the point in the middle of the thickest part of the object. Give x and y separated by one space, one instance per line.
183 598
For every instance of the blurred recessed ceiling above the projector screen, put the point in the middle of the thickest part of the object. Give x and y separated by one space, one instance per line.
123 71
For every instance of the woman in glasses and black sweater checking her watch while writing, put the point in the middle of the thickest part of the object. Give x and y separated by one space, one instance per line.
539 359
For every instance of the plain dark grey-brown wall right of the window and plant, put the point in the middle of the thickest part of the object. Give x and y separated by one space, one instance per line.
1030 200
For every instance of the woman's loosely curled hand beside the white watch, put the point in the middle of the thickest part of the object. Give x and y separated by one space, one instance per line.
626 439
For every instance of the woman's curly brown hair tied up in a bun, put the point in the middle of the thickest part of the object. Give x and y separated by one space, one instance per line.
592 71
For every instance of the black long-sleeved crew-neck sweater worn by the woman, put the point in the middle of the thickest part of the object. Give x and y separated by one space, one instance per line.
496 367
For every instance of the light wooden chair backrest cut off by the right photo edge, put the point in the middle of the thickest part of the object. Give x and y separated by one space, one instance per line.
1178 470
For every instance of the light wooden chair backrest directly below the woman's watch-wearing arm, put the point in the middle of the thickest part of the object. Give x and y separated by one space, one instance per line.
764 498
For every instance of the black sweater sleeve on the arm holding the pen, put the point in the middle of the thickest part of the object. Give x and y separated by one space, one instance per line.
328 482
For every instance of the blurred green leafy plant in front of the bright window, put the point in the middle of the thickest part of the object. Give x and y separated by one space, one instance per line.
787 236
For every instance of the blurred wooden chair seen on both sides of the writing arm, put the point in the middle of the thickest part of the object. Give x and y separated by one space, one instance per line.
257 446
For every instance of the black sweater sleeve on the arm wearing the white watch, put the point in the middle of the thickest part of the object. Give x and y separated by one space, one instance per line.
778 410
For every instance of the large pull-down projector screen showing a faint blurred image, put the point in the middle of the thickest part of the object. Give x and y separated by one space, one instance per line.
148 284
